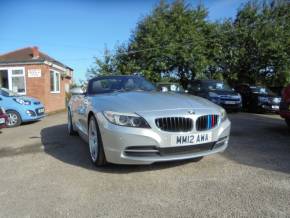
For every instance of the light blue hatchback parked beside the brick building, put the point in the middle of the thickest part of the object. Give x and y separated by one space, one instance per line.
20 108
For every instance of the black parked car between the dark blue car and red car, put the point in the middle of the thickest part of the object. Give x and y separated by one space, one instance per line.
258 98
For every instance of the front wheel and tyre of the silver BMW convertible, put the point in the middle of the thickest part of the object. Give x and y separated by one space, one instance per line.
96 149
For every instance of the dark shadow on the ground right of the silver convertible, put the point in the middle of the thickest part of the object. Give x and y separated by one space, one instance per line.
259 141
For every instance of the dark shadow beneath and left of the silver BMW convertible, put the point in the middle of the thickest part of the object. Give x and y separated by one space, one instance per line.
72 150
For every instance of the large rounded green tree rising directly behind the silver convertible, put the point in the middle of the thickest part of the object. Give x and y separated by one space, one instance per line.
171 42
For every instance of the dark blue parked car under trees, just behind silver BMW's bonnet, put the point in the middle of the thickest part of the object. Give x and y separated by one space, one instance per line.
218 92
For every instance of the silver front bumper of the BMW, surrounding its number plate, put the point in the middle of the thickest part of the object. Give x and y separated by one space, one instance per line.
125 145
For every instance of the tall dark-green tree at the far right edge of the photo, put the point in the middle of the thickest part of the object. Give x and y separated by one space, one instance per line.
262 34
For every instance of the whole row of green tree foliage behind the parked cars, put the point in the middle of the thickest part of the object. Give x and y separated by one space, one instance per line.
176 41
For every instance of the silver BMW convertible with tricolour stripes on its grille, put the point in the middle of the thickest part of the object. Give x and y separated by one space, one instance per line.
126 121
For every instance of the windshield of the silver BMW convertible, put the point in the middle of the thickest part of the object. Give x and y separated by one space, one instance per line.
120 84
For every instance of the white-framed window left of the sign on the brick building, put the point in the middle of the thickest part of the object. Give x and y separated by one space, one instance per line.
18 81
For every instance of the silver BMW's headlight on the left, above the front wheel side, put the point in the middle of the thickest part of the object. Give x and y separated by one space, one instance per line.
126 119
